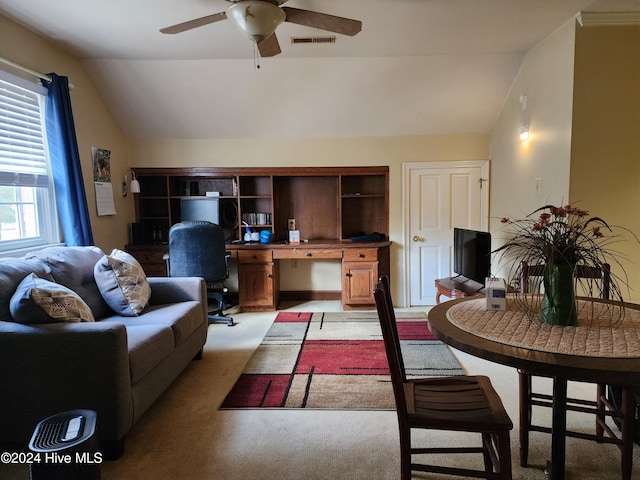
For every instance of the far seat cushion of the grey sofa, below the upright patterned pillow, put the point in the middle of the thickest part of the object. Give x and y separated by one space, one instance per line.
183 318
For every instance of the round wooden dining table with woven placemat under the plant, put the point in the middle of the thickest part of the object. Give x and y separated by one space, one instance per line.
603 348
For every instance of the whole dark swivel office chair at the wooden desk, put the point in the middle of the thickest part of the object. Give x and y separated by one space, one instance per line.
197 249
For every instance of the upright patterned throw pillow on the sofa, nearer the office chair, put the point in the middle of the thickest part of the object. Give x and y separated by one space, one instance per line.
122 283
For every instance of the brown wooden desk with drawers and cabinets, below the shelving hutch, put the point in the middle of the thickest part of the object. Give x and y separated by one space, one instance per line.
259 272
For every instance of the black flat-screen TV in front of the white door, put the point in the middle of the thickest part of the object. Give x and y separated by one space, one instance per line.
472 254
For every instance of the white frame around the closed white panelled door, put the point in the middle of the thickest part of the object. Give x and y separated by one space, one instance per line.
408 167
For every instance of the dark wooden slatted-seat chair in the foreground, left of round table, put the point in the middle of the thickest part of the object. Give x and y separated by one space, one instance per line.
461 403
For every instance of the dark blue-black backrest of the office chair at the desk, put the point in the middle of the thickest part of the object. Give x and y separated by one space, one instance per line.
197 249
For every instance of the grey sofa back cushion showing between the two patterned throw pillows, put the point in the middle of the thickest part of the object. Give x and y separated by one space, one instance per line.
73 268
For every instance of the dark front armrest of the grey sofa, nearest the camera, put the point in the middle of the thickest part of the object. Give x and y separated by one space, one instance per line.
52 368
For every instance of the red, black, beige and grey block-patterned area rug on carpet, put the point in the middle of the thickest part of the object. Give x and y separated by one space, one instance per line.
335 360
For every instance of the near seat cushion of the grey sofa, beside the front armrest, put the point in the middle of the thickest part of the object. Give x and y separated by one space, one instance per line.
148 346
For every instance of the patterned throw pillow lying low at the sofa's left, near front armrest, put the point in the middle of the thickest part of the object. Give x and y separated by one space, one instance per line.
37 300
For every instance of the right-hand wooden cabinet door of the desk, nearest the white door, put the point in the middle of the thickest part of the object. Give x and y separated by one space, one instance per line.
358 281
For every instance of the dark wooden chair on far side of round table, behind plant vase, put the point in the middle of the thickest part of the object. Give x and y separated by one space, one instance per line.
602 407
